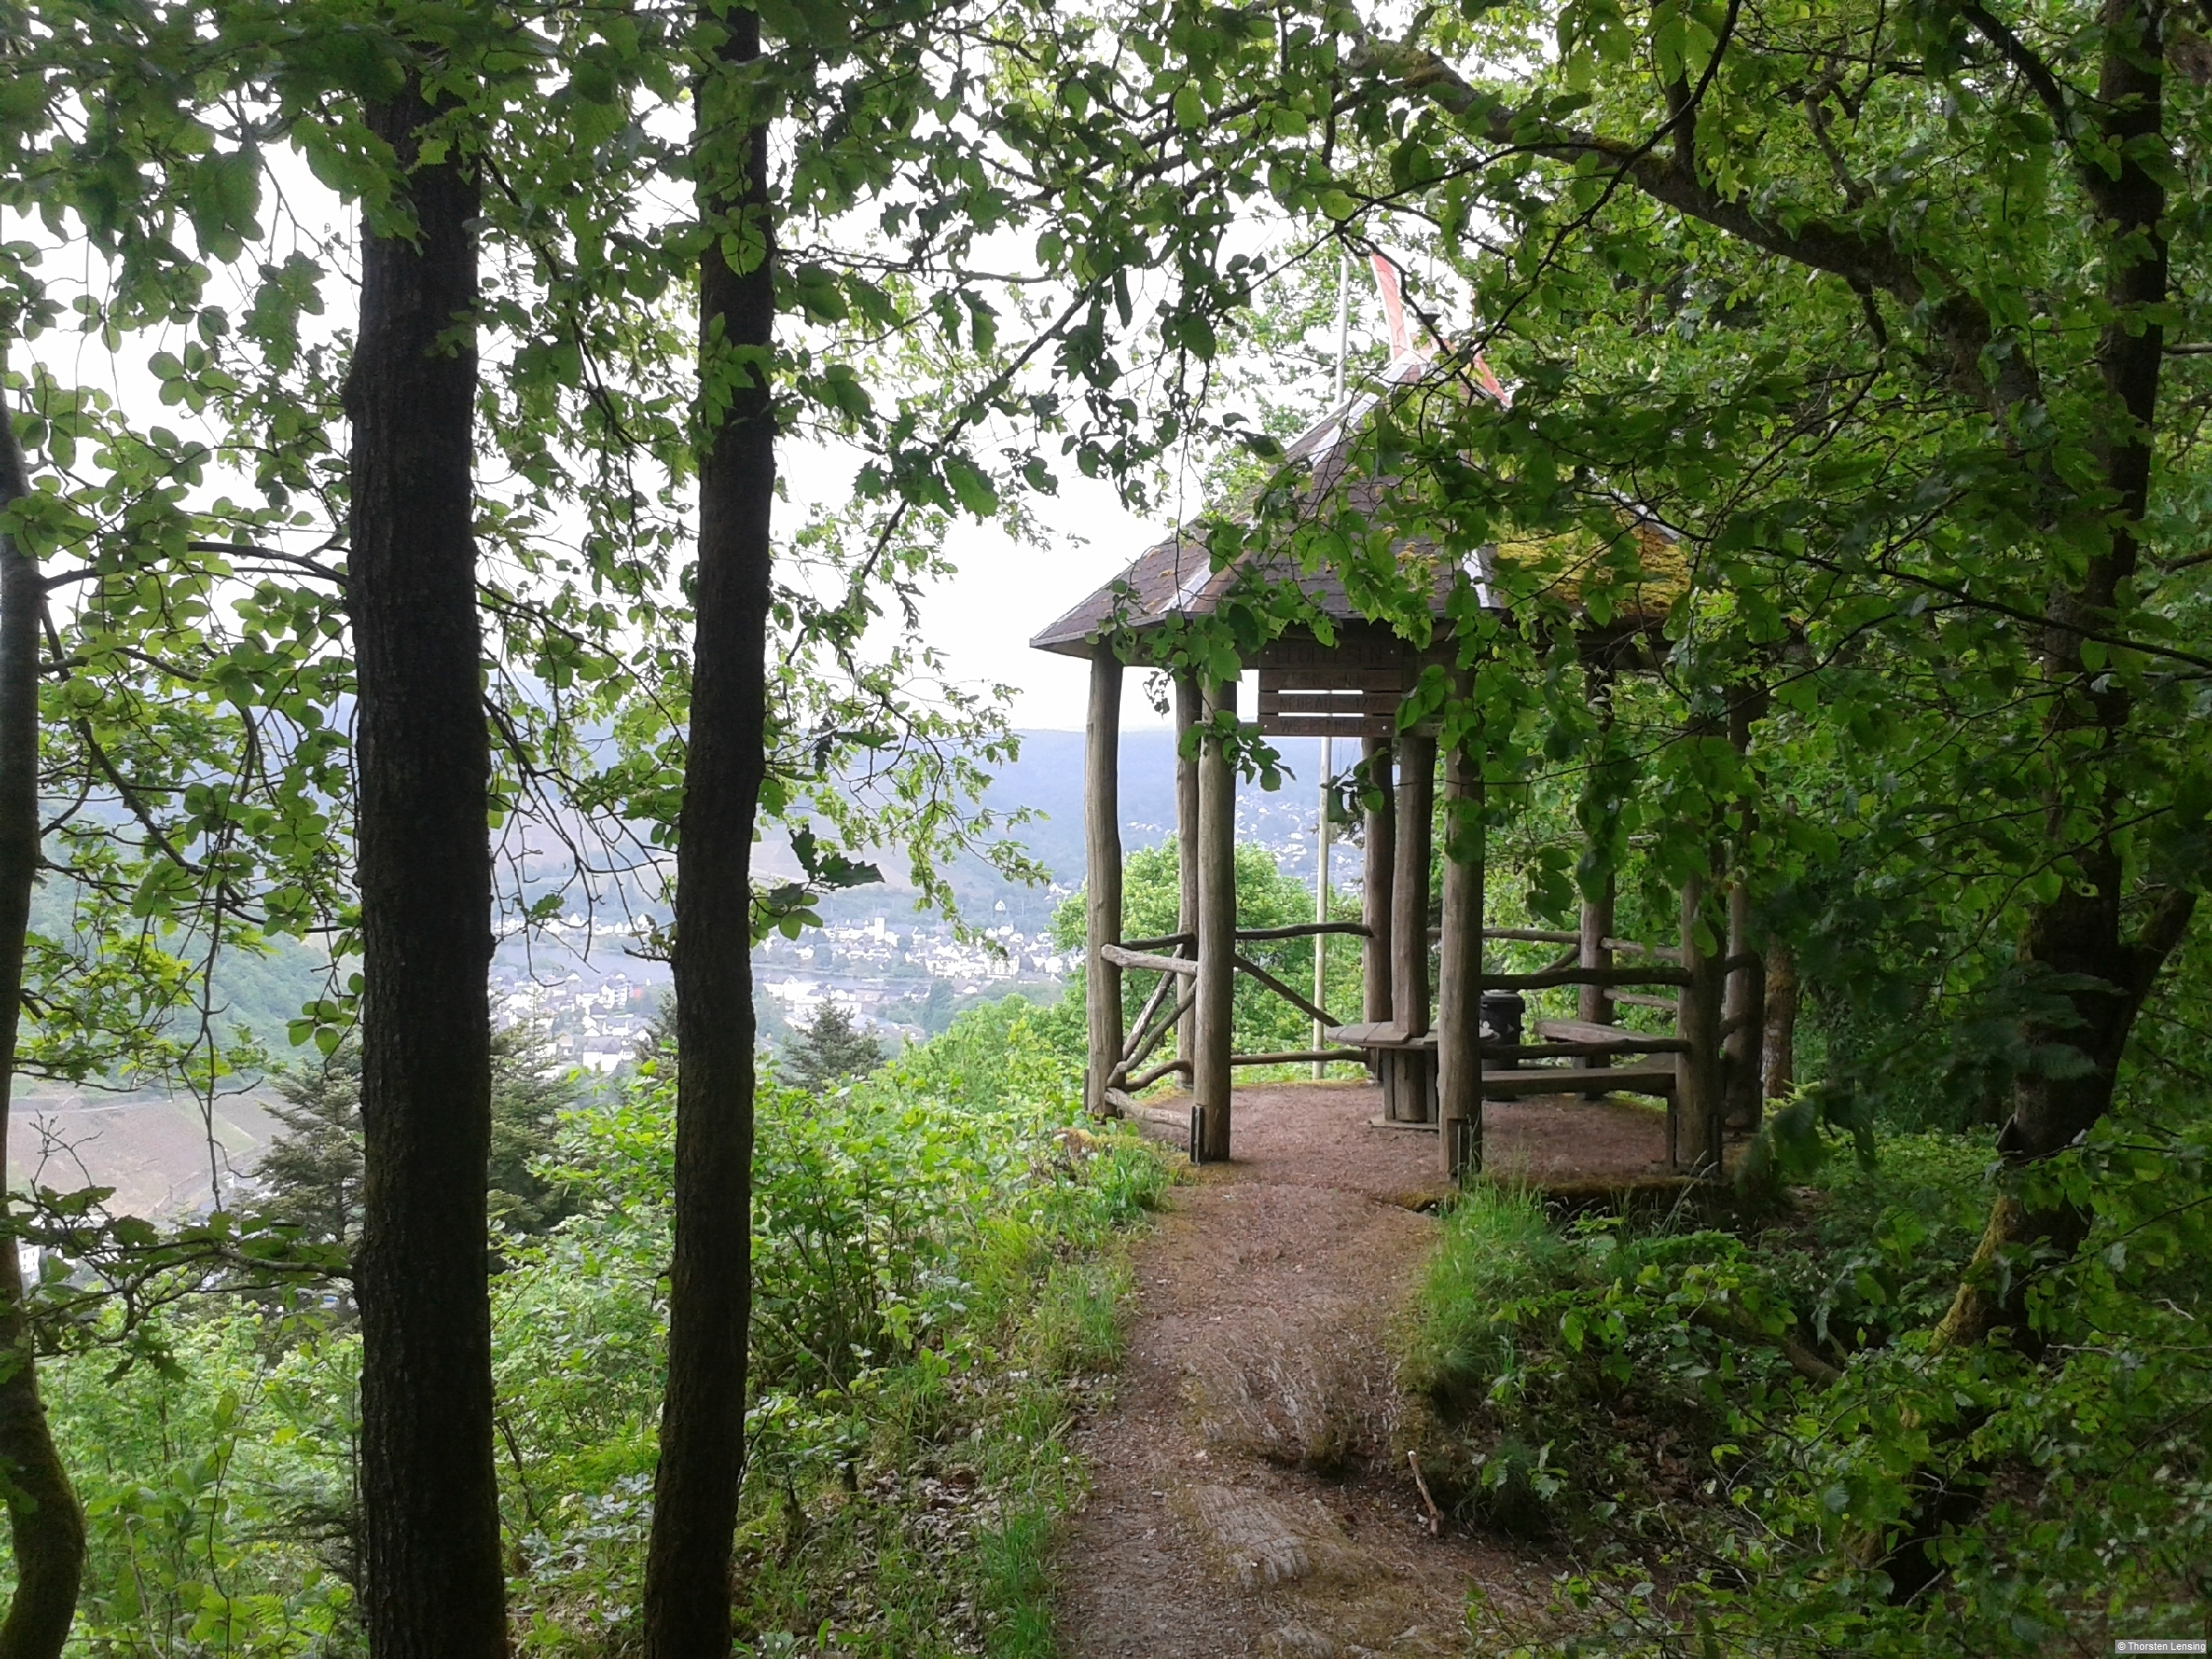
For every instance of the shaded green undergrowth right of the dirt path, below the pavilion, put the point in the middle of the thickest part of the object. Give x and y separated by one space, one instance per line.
1636 1388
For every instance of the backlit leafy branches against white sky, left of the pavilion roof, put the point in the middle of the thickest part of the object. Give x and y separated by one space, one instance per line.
194 700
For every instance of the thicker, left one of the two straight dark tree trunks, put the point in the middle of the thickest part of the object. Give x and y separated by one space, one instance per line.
432 1574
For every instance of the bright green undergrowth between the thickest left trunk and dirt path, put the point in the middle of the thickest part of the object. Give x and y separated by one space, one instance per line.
910 1240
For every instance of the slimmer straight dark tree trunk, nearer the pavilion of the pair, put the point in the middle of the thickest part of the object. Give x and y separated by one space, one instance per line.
711 1277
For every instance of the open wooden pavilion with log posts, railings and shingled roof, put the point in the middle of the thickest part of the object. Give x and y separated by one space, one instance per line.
1439 1050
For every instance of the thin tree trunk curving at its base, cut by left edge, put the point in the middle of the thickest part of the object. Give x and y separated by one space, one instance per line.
45 1523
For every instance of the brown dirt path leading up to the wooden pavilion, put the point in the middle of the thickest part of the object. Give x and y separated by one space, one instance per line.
1244 1492
